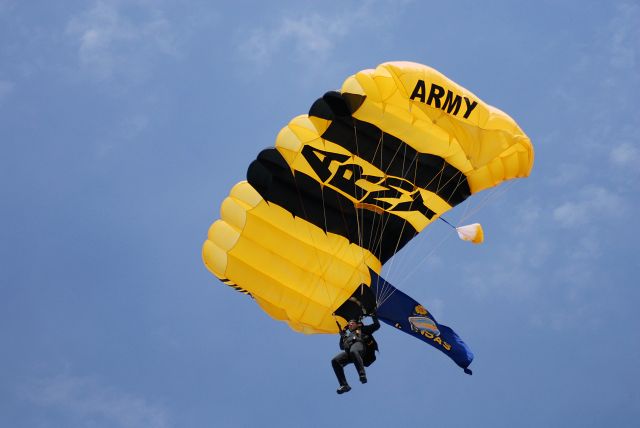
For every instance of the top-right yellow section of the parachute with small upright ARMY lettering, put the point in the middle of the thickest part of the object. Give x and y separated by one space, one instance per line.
474 143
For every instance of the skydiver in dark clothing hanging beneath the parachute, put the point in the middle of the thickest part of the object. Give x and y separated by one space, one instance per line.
358 347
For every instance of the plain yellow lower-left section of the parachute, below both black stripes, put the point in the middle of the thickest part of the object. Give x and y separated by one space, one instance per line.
295 271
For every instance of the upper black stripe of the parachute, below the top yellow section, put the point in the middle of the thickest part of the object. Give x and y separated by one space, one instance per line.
388 153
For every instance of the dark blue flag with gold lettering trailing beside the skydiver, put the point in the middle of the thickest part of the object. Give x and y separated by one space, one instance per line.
402 312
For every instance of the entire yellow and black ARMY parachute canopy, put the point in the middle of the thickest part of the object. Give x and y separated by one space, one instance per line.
349 184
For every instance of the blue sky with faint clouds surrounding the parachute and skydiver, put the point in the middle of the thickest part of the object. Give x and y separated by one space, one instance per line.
123 125
